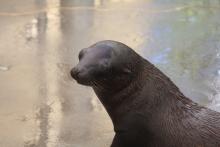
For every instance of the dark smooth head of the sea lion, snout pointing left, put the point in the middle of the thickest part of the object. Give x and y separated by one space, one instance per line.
106 63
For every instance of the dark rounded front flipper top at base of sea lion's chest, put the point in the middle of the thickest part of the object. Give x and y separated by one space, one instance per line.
131 132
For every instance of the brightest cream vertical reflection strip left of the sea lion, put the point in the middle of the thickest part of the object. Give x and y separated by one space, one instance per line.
53 99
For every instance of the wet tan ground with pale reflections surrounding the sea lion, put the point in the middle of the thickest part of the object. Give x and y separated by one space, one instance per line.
41 106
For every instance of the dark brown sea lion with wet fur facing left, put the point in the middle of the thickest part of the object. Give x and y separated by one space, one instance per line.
145 106
